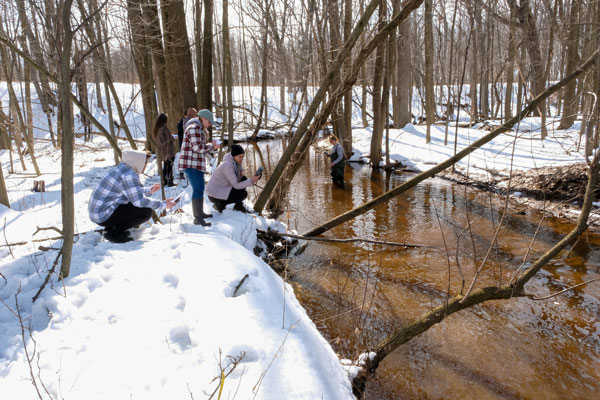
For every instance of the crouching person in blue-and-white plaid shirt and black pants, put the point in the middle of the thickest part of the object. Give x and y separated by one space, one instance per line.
120 202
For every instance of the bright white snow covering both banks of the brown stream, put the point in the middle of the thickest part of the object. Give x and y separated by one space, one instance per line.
159 317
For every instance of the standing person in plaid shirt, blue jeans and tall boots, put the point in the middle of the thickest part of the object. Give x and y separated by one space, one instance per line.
193 159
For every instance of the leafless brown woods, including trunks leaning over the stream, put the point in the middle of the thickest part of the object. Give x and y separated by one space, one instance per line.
306 69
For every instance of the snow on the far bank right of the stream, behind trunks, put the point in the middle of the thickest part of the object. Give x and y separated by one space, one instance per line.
407 145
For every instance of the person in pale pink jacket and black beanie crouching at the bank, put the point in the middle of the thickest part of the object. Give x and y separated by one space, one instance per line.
228 184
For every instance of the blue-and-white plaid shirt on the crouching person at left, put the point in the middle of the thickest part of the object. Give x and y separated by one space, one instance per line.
120 186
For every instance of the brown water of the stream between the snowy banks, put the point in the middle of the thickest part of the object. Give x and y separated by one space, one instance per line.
358 293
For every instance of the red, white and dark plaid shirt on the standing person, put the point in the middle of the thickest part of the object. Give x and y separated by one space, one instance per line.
194 150
